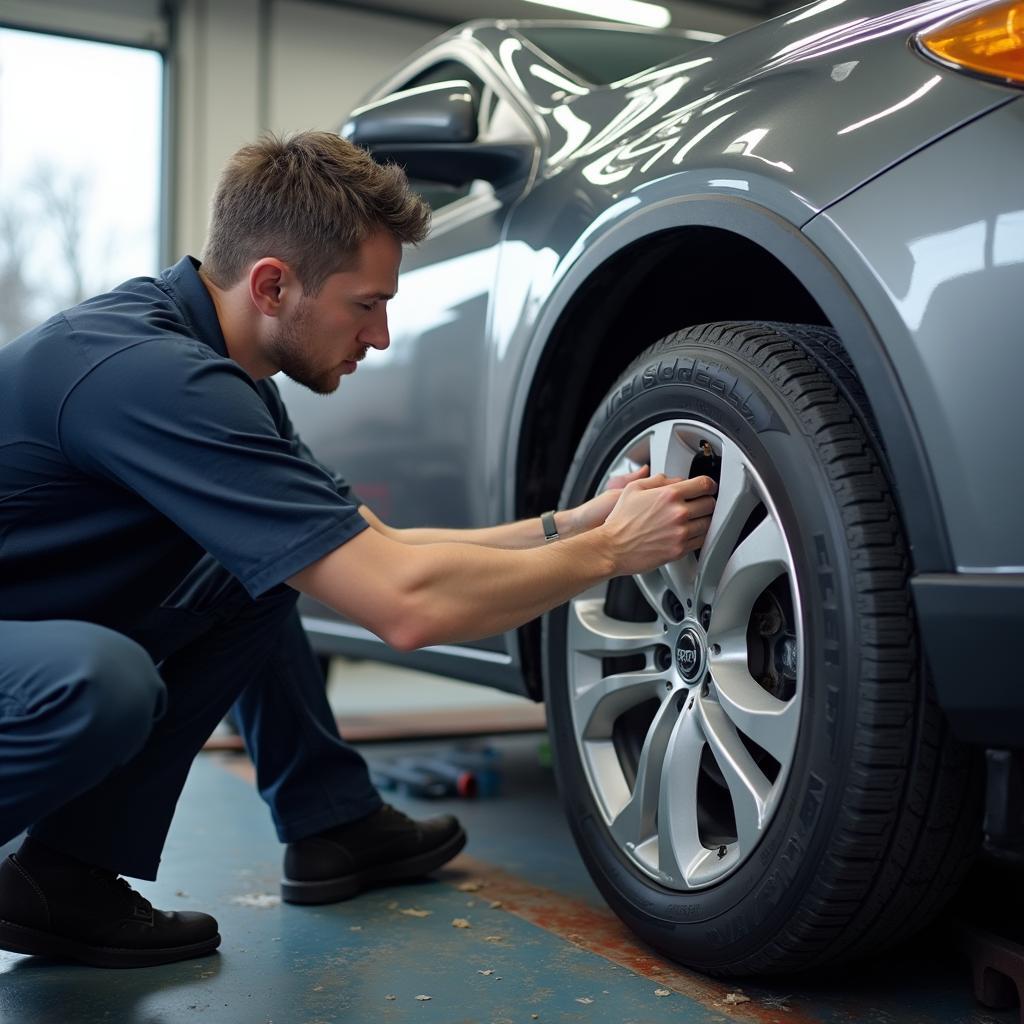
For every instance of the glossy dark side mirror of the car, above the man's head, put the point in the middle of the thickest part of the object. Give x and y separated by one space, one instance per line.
432 132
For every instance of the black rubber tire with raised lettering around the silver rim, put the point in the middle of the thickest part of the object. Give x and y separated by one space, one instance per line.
880 813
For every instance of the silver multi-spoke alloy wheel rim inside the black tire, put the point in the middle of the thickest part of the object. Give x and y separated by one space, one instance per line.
687 684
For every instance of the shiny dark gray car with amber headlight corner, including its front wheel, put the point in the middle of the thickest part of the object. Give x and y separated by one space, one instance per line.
792 260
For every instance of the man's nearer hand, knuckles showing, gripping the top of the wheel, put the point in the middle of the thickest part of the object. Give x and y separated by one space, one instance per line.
659 520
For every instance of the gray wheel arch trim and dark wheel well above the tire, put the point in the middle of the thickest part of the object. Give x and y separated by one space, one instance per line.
642 281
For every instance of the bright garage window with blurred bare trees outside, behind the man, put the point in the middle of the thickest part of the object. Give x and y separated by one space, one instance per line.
81 127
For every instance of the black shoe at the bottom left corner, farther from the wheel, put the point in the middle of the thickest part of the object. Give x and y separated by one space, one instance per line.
55 906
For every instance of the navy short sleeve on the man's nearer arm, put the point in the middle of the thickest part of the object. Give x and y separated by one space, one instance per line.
188 432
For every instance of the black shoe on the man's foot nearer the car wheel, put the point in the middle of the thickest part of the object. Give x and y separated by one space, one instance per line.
382 849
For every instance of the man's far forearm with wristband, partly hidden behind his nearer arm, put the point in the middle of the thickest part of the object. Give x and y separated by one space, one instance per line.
524 533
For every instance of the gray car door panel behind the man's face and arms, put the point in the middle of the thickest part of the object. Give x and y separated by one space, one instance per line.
408 430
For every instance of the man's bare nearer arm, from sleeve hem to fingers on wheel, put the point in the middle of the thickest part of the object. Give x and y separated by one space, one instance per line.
415 596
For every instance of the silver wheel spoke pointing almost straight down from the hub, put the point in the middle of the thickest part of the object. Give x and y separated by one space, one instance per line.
678 839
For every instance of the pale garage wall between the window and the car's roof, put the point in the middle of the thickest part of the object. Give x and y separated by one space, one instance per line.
246 66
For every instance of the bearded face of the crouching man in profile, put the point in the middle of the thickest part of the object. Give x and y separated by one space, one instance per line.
325 337
